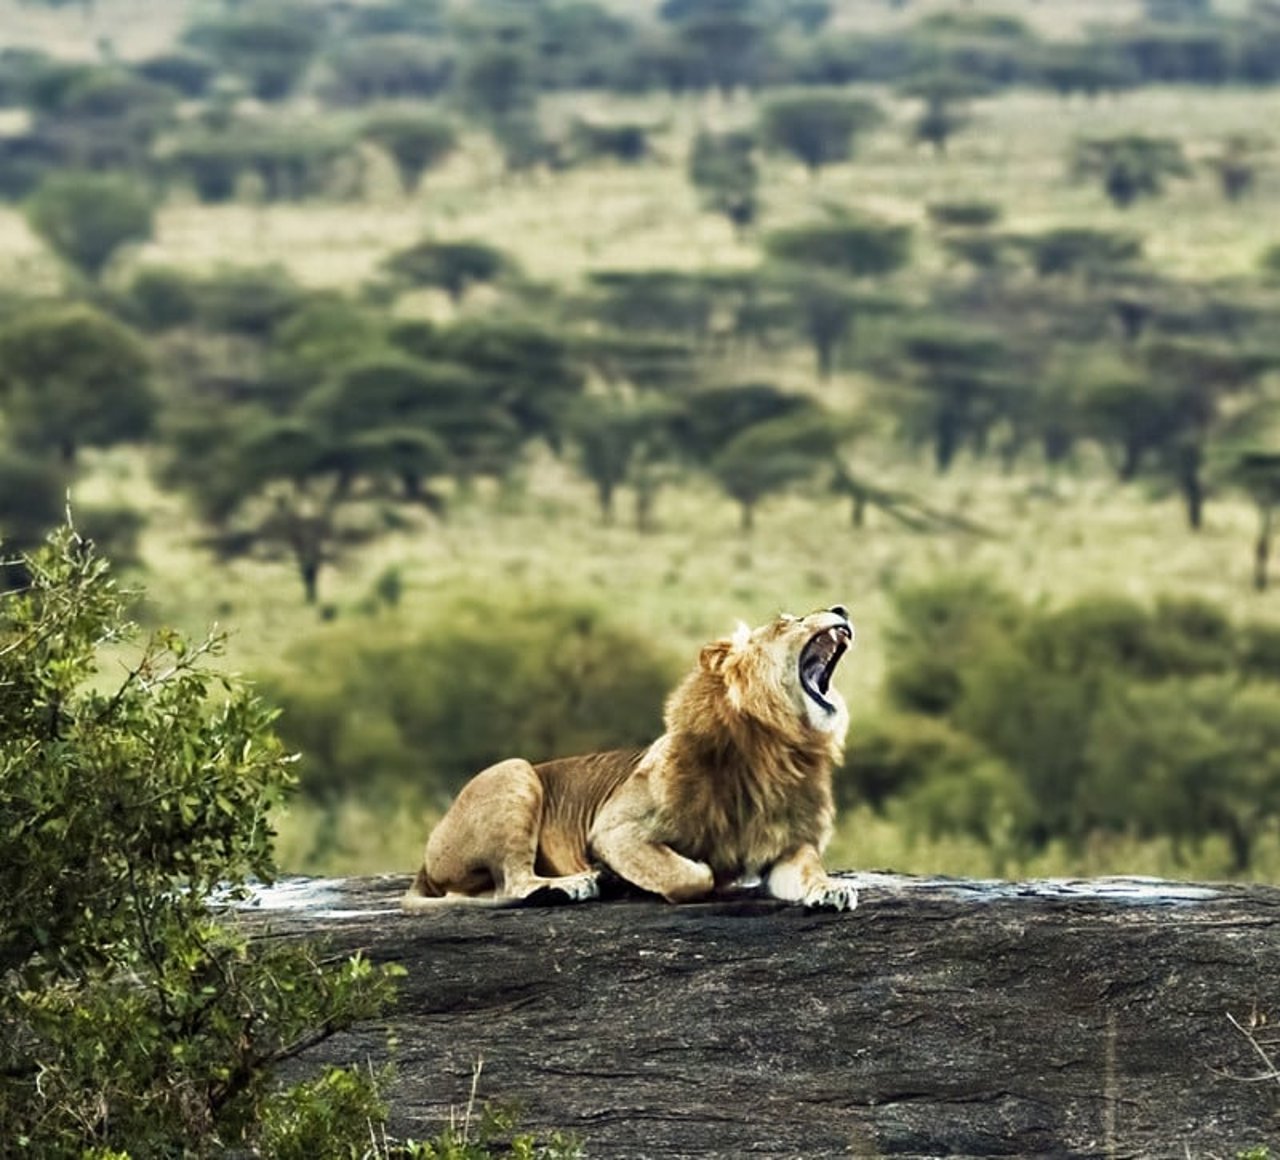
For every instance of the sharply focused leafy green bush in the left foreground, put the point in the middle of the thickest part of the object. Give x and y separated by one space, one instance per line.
136 1016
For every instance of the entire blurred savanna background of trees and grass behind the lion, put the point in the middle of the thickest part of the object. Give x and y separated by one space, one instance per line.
473 362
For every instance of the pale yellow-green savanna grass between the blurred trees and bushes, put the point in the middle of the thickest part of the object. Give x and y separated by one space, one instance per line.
1048 533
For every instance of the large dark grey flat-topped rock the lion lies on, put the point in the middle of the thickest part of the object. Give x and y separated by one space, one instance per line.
941 1019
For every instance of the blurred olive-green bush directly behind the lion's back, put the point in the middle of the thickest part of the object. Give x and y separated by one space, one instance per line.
387 709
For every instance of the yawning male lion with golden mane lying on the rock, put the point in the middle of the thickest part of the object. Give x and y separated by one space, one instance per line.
737 789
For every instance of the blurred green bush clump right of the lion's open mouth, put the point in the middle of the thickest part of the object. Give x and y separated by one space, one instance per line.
1107 715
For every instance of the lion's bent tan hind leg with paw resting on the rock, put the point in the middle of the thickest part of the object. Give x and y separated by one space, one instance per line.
486 847
